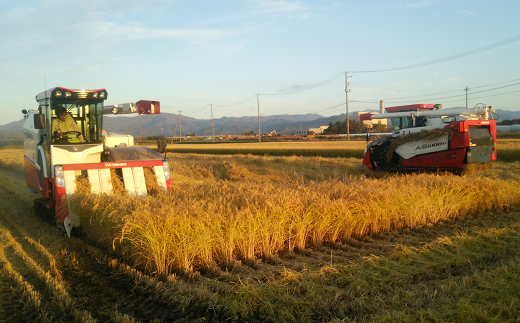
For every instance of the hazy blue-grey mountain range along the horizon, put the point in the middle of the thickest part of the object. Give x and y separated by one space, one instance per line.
166 123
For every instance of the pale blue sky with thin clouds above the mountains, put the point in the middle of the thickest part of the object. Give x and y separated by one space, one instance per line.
235 58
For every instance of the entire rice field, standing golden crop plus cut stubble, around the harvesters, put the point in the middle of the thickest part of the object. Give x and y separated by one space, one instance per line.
273 239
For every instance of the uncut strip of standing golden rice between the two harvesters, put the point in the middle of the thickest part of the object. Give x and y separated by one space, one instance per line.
204 223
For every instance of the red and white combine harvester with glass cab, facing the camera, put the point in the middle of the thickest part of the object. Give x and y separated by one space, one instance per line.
55 160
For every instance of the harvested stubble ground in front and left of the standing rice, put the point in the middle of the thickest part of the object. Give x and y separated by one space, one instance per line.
413 274
